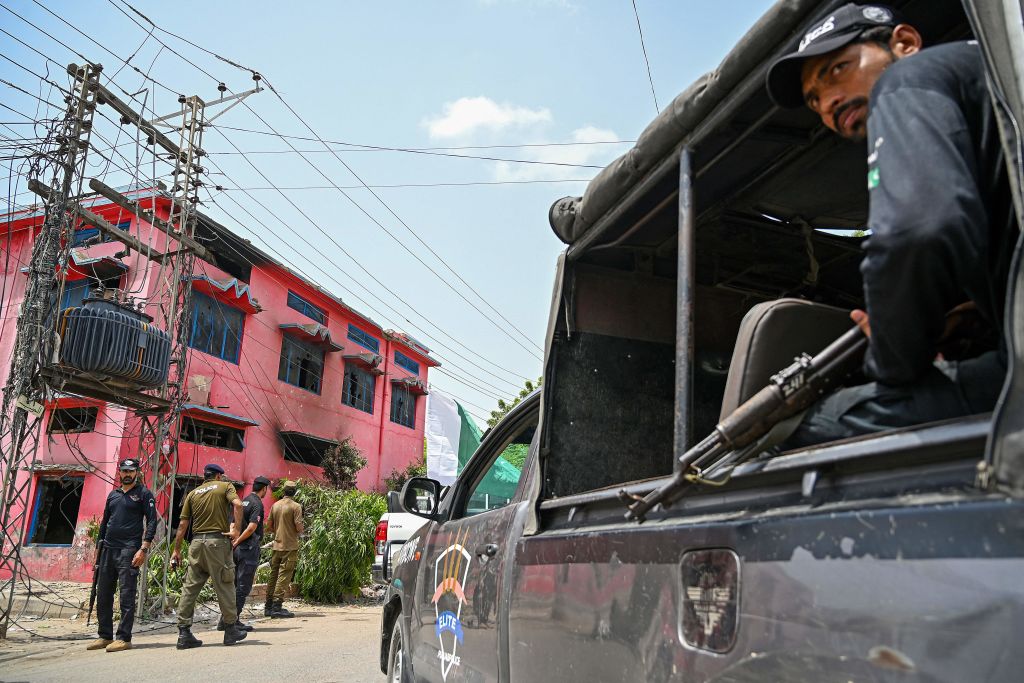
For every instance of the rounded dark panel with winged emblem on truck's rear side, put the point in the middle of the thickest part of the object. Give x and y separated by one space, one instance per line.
711 599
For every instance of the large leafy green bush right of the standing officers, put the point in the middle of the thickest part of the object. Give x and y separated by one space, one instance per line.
337 552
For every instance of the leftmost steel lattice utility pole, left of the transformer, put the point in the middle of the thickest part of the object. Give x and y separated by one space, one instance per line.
25 394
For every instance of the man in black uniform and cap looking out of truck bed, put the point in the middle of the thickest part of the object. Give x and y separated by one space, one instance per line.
942 217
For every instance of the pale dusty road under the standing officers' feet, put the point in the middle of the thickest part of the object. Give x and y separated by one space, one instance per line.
320 645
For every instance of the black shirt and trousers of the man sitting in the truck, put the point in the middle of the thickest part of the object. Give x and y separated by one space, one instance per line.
944 230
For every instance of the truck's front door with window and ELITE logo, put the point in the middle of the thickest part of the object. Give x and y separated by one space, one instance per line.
458 588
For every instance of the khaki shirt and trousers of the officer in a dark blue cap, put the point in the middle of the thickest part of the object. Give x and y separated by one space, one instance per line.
208 507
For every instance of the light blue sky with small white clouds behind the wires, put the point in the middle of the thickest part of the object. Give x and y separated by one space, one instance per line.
410 75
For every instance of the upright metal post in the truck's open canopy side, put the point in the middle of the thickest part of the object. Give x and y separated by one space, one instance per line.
686 303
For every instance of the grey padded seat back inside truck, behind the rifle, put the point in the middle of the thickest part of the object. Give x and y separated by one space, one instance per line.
771 336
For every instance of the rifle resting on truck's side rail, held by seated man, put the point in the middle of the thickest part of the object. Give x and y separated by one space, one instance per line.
739 436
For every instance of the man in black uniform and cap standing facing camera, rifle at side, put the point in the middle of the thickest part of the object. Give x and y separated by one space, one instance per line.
122 549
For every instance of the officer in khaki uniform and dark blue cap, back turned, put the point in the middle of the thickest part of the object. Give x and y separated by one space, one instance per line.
206 507
